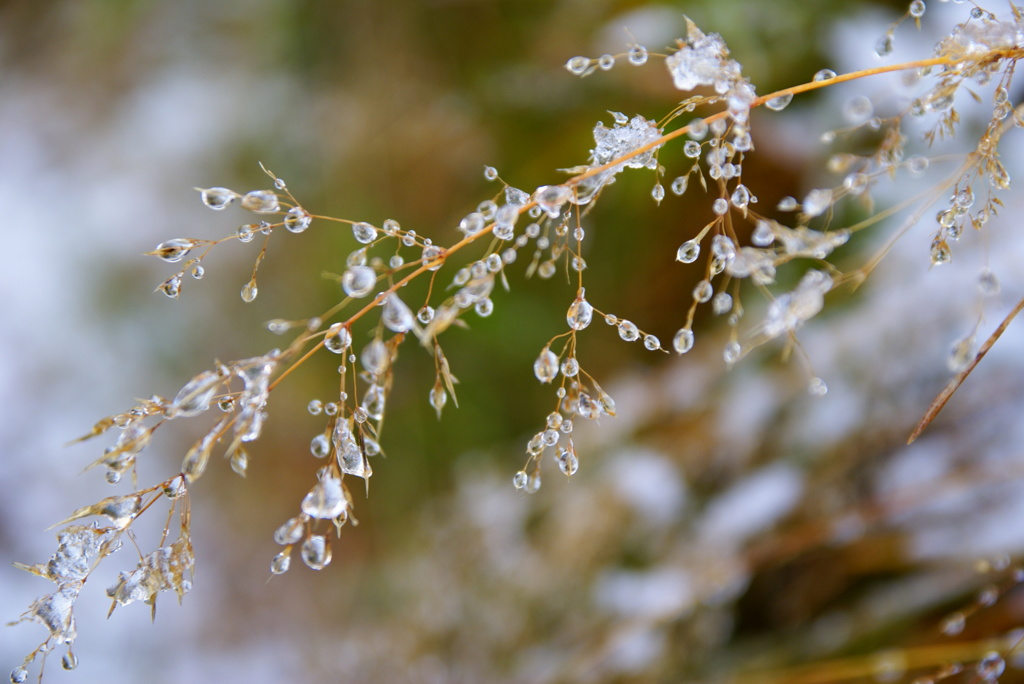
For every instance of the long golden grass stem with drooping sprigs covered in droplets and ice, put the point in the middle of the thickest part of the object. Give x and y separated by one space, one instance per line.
784 254
